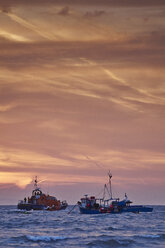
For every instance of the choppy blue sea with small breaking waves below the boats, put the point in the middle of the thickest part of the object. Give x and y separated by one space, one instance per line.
60 229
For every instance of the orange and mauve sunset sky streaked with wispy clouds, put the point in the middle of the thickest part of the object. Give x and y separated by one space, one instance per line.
82 92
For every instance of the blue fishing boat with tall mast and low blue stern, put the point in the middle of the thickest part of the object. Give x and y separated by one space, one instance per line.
94 205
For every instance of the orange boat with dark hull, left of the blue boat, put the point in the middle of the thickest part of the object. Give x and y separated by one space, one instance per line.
41 201
